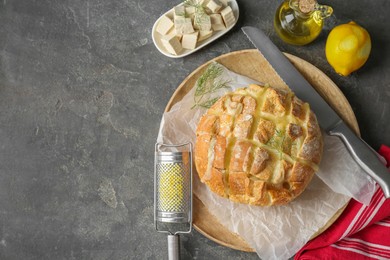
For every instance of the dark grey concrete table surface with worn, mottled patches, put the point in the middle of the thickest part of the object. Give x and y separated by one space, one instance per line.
82 91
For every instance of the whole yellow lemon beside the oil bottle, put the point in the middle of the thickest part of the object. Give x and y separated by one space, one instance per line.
347 48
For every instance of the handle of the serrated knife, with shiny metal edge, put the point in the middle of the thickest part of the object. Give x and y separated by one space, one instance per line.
364 155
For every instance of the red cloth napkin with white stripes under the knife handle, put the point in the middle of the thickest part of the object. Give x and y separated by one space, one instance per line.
361 232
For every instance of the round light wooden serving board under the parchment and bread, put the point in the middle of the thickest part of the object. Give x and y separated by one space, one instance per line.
252 64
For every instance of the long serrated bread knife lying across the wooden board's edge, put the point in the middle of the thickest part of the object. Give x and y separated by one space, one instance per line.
328 119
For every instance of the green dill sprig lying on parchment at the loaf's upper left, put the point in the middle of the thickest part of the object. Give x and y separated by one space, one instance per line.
207 84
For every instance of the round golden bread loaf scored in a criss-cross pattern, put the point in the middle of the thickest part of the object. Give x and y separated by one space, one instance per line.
258 145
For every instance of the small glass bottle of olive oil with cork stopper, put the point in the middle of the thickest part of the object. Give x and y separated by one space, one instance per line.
299 22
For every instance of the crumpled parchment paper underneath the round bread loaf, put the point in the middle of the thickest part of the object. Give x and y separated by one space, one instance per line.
274 232
